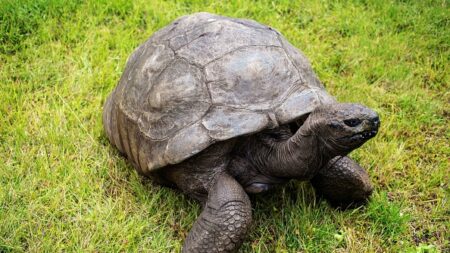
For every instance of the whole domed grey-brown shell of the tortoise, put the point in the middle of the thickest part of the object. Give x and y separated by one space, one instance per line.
202 79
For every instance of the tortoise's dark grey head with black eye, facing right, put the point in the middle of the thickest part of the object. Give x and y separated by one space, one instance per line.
343 127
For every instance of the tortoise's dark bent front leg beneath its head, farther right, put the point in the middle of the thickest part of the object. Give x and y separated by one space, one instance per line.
343 182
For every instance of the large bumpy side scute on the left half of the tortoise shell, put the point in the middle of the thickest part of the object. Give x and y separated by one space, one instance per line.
178 98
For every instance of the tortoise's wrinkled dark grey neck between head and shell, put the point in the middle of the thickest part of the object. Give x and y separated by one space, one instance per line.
300 156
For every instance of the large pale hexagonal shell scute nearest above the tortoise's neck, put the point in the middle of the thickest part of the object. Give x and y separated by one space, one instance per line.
251 77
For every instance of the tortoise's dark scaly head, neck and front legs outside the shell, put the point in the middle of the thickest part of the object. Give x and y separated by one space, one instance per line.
220 176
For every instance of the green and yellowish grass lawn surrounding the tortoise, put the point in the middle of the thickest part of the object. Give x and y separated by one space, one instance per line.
63 187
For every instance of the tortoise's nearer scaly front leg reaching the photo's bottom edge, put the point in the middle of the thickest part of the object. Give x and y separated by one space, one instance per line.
224 221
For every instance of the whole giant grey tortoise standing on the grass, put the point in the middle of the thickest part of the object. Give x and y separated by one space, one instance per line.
222 107
